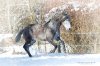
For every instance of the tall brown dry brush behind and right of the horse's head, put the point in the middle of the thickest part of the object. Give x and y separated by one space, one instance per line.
84 34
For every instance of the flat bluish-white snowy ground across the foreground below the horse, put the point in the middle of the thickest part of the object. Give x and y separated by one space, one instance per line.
50 60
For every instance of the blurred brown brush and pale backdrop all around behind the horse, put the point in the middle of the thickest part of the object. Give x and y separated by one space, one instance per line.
83 37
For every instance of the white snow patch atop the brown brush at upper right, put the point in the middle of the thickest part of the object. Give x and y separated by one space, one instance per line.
91 6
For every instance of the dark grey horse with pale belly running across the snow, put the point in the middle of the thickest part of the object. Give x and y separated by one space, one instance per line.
50 32
